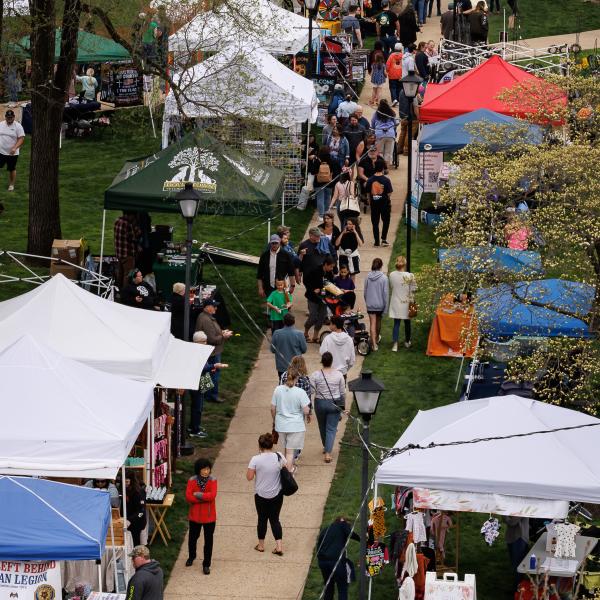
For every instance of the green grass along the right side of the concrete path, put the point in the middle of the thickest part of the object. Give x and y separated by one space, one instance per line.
413 382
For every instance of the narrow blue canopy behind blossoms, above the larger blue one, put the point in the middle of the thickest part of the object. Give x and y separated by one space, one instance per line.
491 258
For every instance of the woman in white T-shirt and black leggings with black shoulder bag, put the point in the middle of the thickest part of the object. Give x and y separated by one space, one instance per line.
264 468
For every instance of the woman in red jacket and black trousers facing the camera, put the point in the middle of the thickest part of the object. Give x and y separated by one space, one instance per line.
200 493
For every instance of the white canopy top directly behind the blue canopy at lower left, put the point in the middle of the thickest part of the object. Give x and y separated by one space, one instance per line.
63 418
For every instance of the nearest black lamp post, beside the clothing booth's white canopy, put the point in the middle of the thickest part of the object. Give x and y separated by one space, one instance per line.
367 391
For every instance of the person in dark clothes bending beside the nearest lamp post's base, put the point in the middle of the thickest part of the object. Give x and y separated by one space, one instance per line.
331 543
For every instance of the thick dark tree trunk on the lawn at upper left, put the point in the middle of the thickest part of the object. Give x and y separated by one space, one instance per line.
48 90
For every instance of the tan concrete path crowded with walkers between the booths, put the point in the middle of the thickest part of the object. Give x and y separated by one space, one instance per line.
237 570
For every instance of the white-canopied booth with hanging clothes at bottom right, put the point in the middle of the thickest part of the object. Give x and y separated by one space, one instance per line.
497 456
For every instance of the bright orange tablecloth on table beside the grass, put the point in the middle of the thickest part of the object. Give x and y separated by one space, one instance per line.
452 333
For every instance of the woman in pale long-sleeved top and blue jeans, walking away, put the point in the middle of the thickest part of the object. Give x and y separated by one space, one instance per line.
330 399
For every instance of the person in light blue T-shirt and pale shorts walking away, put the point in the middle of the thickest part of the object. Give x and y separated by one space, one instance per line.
290 406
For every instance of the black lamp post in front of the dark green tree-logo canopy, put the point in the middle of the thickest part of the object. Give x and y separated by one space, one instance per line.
188 200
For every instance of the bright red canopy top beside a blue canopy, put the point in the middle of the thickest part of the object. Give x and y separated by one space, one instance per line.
477 89
